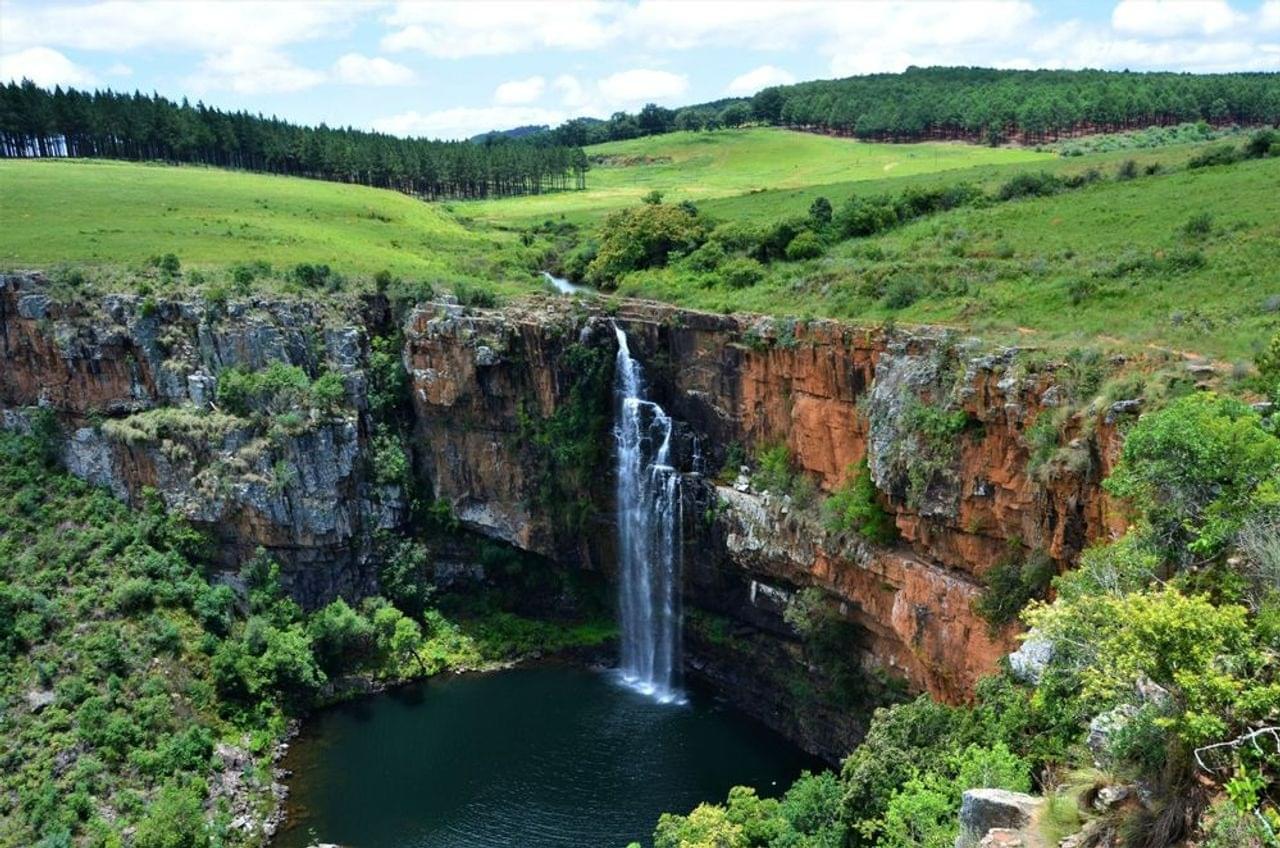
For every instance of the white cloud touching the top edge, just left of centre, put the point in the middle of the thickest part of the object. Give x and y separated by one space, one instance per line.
456 30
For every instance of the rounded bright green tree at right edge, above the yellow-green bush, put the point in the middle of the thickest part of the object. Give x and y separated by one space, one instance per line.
1197 471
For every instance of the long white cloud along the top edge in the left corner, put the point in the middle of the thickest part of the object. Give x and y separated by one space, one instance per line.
198 25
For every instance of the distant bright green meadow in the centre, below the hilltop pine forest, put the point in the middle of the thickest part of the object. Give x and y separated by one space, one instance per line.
692 166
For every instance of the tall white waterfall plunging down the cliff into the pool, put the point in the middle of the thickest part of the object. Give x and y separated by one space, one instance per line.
650 517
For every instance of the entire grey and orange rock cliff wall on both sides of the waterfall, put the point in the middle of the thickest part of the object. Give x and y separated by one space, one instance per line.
511 417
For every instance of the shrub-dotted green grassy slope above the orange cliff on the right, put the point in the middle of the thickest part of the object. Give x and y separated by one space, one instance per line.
1118 263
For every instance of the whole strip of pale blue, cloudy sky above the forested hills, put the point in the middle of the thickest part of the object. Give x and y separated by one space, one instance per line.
452 70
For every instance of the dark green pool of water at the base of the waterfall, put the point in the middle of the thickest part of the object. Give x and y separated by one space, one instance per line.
542 758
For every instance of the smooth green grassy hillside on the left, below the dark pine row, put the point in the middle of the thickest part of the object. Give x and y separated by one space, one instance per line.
107 213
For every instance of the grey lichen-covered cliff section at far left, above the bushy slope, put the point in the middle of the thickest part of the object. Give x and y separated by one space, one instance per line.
132 382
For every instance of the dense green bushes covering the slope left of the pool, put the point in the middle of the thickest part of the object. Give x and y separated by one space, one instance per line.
150 665
